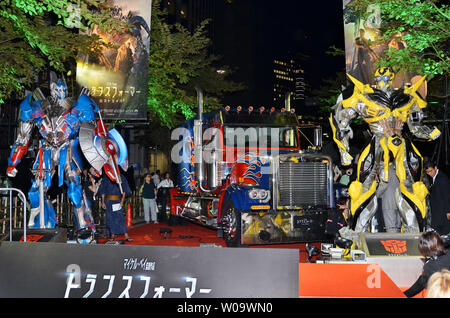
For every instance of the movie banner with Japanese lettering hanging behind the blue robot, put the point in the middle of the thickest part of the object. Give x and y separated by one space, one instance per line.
118 77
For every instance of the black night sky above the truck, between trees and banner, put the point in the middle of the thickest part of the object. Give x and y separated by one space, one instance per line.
251 33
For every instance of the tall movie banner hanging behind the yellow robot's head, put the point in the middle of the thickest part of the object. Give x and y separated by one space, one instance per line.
364 45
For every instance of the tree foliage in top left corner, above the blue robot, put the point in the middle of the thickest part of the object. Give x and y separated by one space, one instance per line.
39 34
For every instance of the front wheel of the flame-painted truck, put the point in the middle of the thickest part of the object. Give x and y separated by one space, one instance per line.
231 225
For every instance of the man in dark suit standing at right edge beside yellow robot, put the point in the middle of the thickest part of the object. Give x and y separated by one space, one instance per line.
440 198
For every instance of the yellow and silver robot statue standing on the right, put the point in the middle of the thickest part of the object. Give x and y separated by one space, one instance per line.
385 110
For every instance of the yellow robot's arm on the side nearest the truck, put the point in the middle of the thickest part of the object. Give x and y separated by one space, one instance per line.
342 132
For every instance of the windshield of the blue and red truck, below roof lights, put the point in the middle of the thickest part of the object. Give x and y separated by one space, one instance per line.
260 137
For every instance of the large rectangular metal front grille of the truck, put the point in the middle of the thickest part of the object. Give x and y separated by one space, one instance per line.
303 184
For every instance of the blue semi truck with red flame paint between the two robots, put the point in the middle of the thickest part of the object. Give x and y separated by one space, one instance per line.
242 172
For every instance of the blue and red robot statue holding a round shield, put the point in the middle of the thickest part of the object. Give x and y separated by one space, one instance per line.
65 127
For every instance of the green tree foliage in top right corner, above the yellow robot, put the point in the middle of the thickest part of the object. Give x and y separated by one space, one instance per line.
424 25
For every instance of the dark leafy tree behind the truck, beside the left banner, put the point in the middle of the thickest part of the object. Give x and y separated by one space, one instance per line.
179 61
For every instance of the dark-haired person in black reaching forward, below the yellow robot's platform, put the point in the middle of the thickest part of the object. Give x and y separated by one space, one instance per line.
437 258
